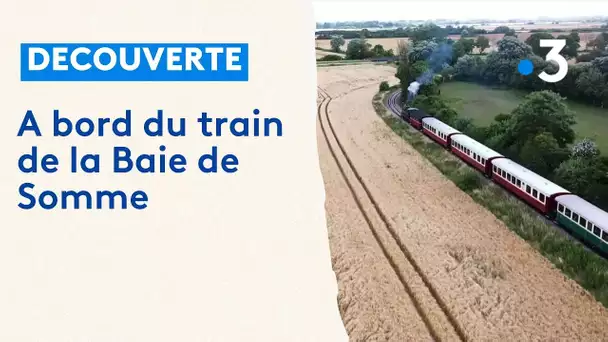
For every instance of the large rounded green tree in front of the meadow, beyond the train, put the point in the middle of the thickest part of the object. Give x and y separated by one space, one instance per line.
540 112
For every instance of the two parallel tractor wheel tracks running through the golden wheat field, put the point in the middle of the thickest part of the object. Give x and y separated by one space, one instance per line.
367 205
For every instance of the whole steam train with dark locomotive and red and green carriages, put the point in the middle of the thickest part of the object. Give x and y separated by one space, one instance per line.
581 218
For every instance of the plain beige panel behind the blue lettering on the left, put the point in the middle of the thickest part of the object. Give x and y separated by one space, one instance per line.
226 257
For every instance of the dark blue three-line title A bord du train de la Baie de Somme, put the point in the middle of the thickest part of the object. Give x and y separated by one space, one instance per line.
124 160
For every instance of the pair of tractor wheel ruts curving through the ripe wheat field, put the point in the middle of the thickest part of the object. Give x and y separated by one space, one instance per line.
337 151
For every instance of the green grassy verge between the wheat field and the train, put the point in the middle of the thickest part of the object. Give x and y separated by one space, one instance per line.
580 264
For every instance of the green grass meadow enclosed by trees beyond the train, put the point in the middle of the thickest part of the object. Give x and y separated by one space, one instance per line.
482 104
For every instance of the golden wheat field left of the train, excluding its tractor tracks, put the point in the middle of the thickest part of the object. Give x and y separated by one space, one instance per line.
494 284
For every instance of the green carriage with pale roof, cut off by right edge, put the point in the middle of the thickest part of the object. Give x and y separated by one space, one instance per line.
583 219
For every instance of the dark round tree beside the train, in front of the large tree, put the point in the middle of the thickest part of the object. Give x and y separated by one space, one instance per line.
542 154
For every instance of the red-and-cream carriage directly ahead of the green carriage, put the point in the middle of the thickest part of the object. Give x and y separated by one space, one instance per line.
532 188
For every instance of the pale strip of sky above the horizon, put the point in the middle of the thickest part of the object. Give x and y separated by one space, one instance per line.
461 10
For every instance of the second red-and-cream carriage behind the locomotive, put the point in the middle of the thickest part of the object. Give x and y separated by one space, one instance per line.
474 153
